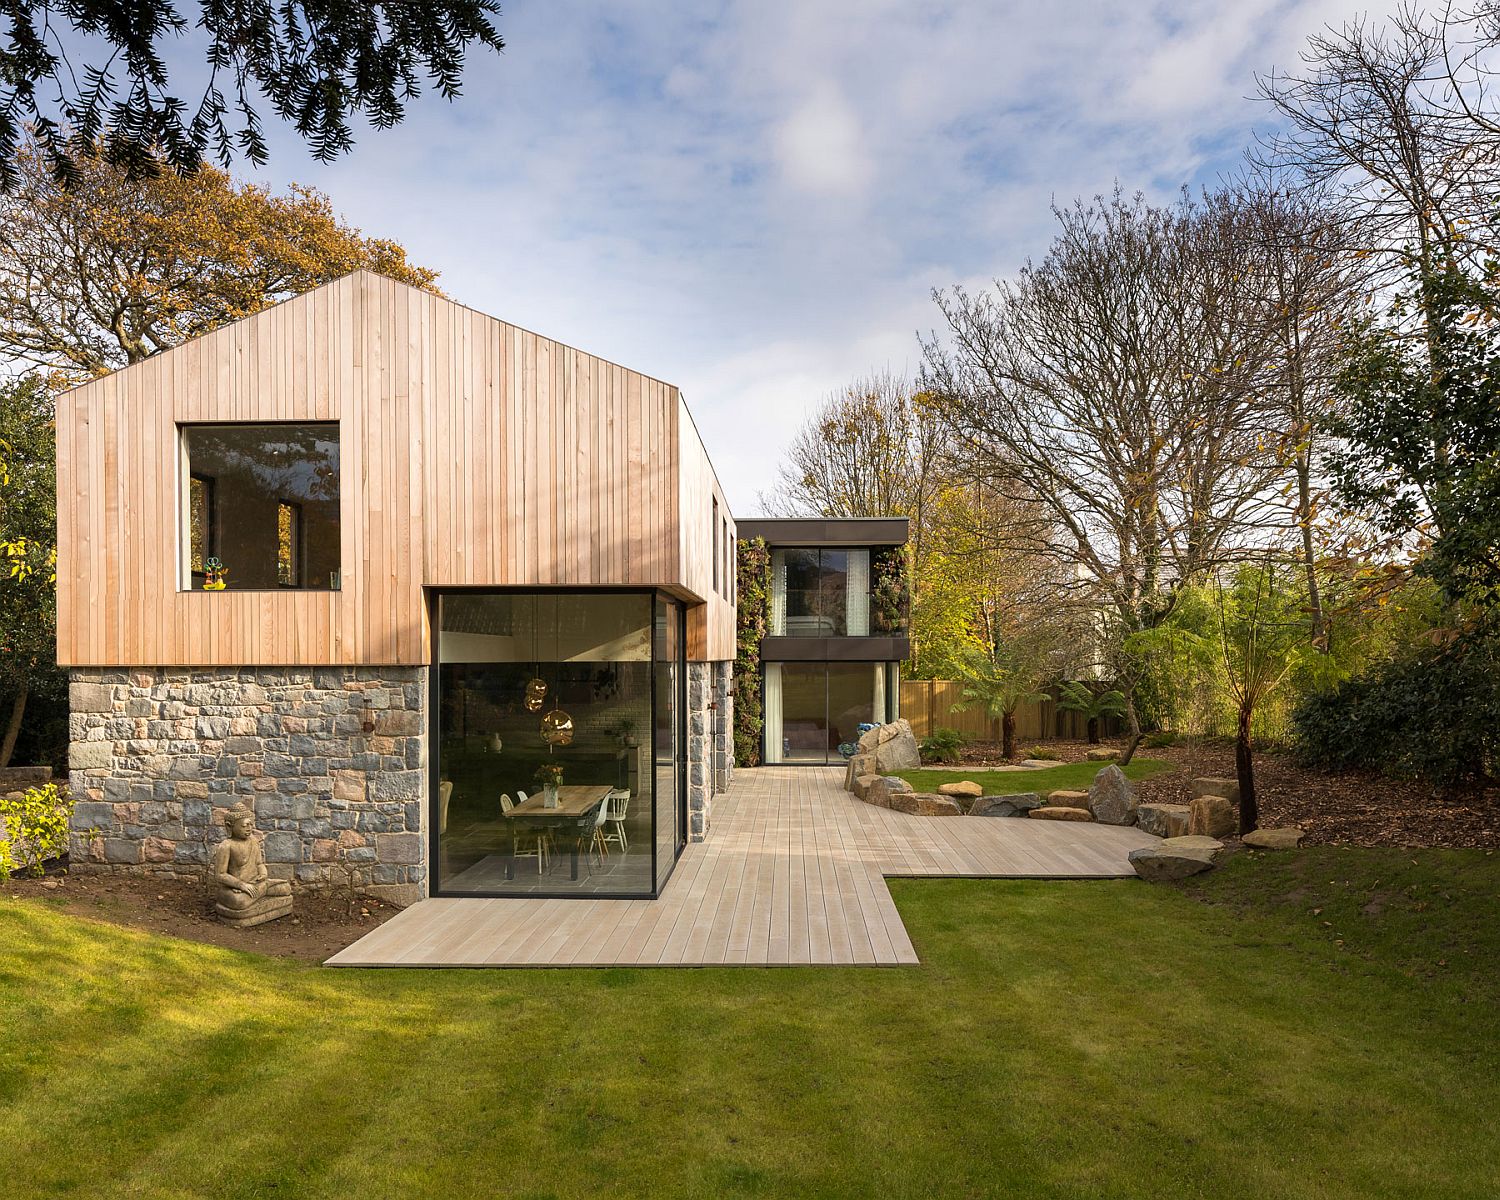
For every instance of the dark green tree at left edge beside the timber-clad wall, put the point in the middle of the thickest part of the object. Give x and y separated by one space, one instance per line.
28 553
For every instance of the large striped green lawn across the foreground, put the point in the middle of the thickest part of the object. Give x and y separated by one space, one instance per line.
1061 1040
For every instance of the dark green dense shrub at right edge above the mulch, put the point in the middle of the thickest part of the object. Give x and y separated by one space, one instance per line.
1432 716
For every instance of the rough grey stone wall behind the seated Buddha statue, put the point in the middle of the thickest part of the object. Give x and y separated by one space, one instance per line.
332 760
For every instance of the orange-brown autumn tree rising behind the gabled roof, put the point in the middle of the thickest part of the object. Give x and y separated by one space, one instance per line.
107 271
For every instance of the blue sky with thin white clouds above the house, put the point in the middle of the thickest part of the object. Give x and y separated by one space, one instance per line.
757 200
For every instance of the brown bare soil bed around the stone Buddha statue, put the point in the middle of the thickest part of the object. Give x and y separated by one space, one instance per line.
320 925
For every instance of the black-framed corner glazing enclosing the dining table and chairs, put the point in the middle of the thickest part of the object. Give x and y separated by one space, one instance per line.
559 746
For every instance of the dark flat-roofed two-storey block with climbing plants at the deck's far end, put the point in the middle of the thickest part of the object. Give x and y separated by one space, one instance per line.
838 632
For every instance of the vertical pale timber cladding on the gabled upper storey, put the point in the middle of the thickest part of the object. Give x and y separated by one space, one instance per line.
472 454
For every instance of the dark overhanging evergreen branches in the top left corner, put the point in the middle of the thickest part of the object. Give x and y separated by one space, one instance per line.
86 73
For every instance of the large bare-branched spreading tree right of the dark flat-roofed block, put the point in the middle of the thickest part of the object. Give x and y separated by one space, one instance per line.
1118 389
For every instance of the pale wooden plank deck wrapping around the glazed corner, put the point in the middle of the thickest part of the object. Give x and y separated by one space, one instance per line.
794 874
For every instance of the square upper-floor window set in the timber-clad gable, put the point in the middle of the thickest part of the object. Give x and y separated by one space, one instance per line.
262 506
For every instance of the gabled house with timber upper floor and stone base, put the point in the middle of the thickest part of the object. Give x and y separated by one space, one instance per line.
386 569
